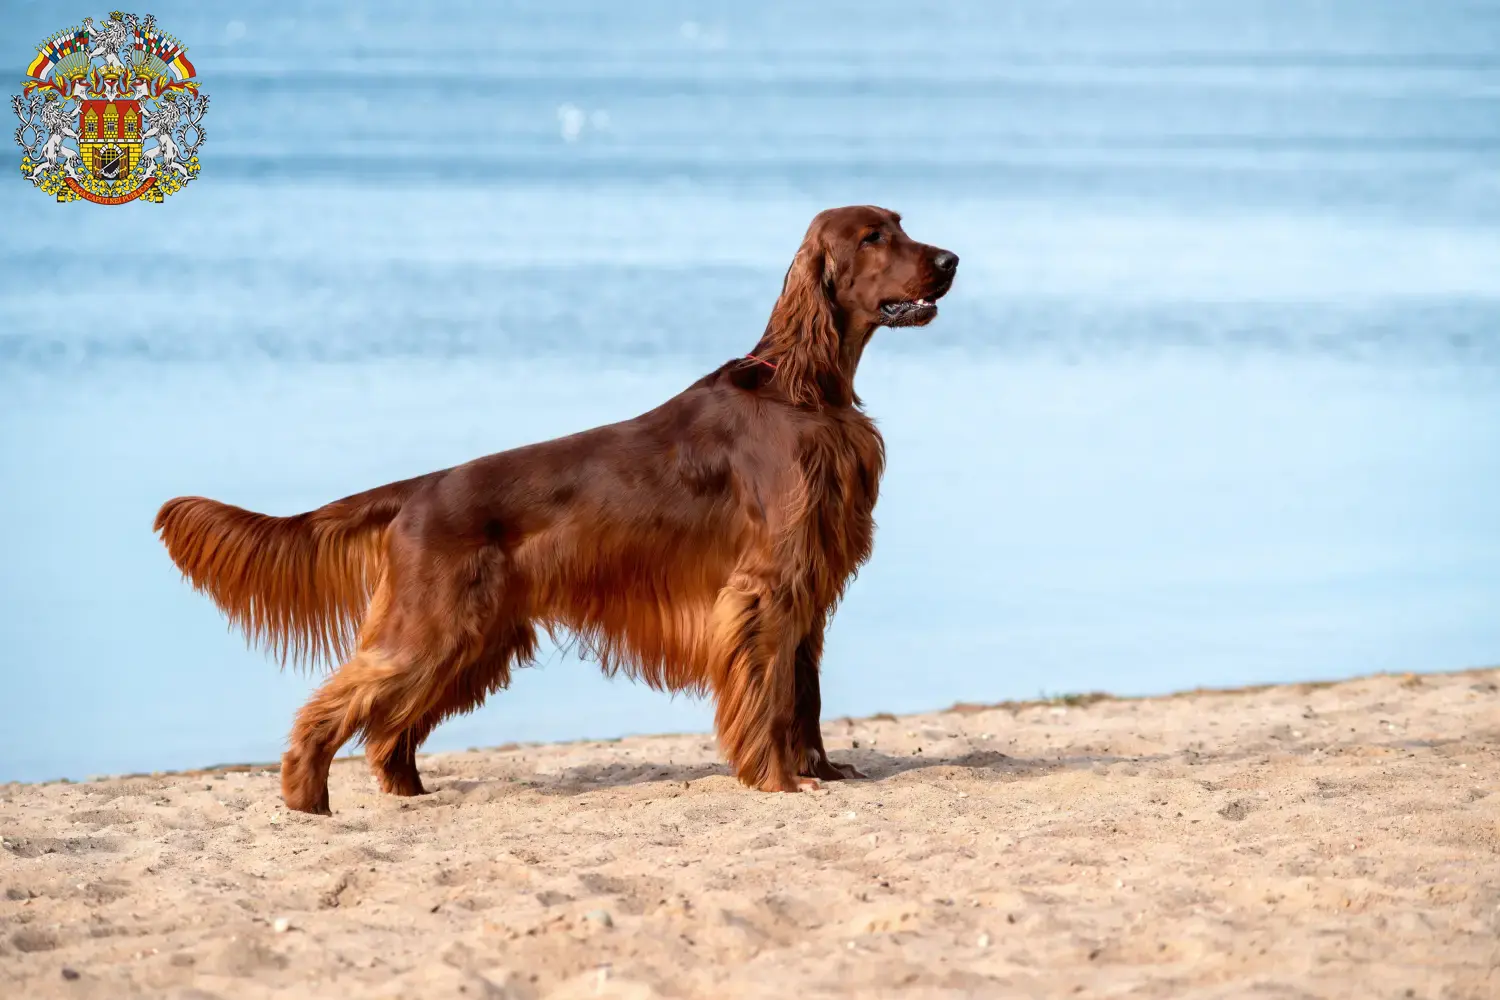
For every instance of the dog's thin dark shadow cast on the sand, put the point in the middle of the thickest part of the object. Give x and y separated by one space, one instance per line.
875 765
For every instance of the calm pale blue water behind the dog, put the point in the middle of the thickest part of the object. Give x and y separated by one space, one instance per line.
1216 400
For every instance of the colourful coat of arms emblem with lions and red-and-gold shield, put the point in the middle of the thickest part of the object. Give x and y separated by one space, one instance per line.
110 113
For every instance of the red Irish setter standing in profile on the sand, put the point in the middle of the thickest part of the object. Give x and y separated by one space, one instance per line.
701 546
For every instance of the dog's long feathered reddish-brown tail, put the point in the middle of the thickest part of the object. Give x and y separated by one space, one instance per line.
296 587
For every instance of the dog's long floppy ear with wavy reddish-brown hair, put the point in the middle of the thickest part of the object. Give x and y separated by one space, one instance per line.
803 335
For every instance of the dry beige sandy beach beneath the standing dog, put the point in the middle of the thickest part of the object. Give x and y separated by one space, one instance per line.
1309 840
